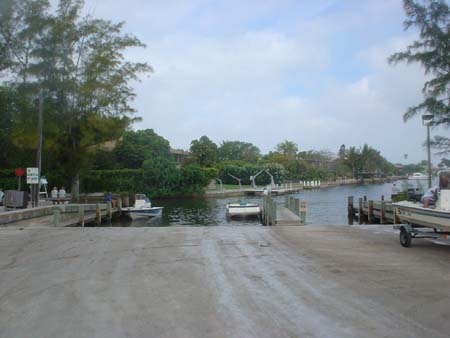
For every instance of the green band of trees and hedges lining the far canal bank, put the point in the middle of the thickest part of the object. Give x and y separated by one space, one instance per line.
143 161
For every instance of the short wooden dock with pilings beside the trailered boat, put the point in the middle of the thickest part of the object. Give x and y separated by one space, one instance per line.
370 211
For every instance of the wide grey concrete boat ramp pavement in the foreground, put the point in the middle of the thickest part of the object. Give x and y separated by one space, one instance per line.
310 281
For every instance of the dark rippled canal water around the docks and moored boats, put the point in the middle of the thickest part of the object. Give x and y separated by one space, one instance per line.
325 206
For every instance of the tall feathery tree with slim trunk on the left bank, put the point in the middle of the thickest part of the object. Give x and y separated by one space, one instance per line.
80 65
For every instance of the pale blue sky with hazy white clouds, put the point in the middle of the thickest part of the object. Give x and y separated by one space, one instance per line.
265 71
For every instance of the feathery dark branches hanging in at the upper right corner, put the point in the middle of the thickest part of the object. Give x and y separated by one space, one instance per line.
432 51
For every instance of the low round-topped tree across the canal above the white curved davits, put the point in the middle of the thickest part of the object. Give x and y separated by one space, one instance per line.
236 150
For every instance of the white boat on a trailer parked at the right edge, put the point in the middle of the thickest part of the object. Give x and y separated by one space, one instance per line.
418 221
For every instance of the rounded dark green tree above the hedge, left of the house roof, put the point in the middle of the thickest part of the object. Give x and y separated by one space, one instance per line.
138 146
